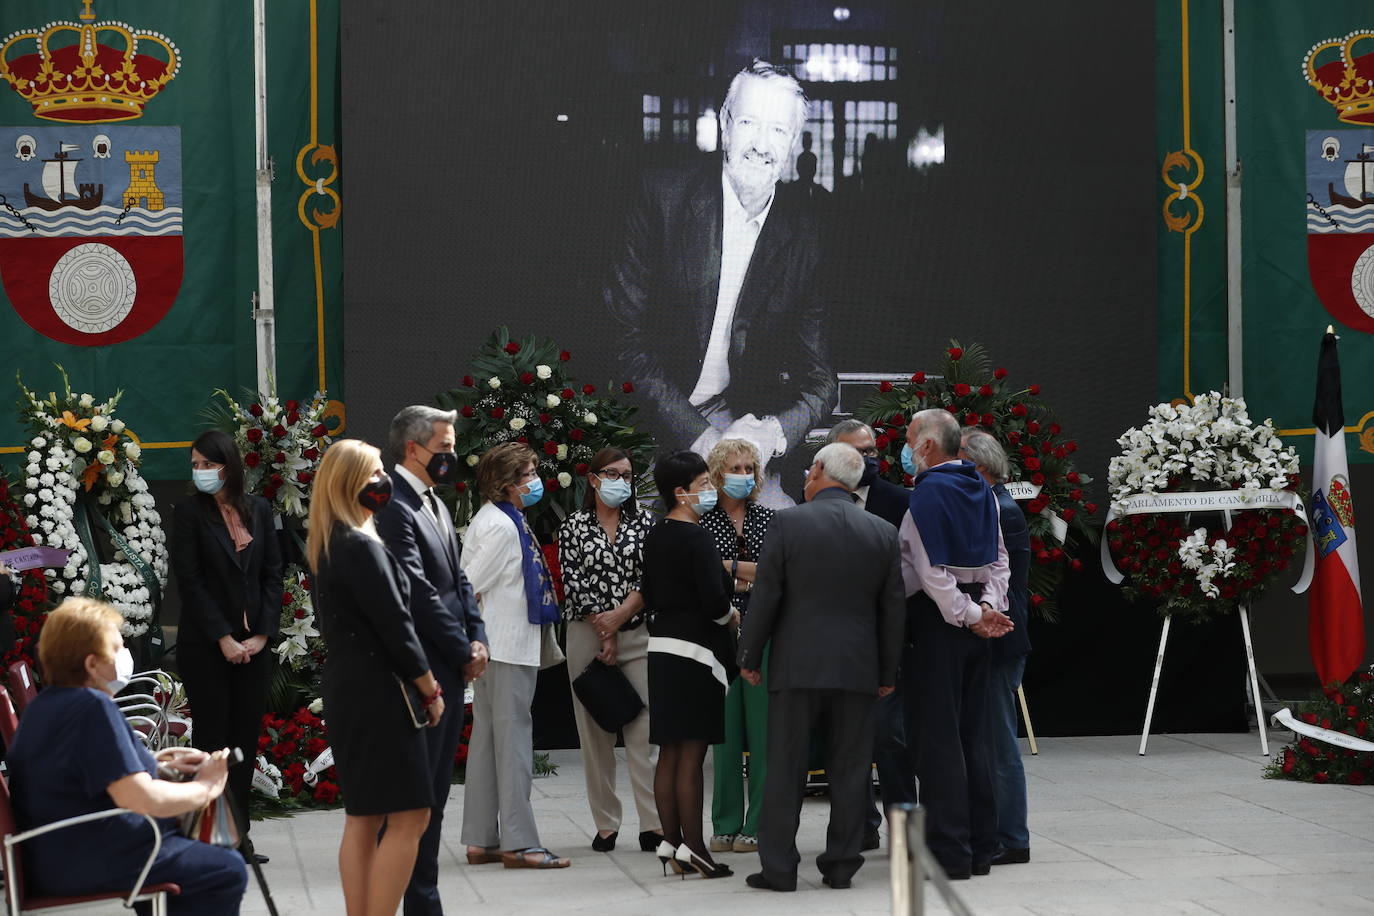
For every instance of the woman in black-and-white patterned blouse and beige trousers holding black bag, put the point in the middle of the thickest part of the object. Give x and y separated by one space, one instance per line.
601 550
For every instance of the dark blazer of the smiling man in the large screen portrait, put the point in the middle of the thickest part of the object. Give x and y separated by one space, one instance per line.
663 290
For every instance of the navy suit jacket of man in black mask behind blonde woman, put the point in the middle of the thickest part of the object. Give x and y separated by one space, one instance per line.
442 601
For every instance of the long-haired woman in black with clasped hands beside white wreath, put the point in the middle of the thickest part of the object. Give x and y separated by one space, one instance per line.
229 569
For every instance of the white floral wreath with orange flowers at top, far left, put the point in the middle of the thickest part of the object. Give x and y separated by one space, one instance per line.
83 468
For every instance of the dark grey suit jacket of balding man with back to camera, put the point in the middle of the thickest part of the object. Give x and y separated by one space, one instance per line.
829 595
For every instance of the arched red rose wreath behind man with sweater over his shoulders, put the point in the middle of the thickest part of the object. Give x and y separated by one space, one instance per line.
1052 491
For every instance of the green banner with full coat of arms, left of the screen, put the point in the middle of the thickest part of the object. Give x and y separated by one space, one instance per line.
128 231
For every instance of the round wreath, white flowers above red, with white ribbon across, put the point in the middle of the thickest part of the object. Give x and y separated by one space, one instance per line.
1193 457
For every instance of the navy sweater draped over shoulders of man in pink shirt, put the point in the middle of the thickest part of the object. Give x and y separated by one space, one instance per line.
957 516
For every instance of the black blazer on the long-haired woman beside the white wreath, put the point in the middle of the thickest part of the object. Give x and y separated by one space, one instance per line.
219 584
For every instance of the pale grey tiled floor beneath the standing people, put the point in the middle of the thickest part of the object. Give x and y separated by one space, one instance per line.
1191 829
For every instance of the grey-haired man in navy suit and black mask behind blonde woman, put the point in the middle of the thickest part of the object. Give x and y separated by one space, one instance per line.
420 534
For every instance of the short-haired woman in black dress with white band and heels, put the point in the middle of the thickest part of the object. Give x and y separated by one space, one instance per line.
690 656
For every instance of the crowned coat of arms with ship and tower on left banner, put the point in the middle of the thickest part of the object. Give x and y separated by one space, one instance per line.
91 223
